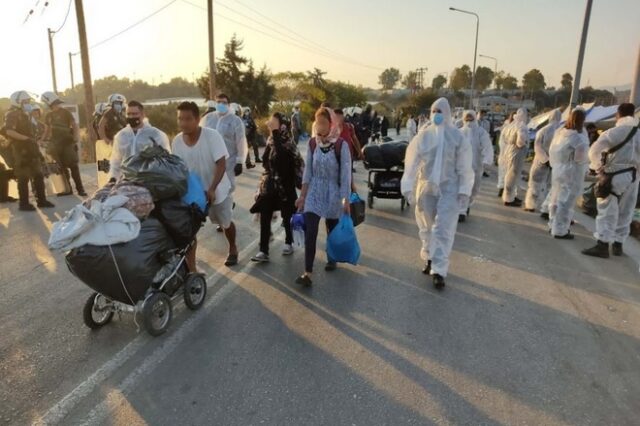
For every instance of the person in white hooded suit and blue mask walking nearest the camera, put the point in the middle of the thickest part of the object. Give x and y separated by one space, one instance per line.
438 177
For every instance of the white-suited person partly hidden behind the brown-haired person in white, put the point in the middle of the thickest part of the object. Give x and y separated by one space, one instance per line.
540 173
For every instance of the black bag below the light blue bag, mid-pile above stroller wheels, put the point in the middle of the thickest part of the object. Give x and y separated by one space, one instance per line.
181 221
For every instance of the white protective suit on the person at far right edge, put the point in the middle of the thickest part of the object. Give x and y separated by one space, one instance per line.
615 212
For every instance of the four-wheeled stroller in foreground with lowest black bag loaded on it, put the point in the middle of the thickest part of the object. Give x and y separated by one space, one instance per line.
144 276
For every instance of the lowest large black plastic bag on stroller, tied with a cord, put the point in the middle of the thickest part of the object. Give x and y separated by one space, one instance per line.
138 261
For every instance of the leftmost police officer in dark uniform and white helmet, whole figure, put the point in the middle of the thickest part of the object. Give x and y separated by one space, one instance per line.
27 165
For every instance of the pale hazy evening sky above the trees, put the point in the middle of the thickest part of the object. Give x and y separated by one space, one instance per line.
353 40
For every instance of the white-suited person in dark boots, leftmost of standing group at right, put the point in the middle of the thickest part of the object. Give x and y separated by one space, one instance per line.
517 142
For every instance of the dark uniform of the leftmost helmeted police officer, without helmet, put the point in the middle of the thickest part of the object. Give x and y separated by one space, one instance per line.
26 157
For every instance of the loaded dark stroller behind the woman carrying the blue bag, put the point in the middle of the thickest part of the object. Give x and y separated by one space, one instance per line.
385 163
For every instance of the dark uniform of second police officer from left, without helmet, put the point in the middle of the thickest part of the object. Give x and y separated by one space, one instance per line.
62 145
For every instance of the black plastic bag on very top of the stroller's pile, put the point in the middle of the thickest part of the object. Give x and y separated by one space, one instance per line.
165 175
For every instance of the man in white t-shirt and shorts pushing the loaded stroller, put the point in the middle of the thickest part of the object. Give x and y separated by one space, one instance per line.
205 154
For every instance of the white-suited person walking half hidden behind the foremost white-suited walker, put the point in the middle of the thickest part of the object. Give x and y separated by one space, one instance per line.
482 151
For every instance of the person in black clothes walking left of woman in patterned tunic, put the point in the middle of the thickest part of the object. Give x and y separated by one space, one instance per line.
277 189
